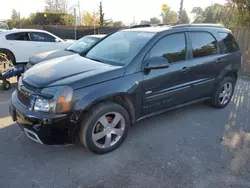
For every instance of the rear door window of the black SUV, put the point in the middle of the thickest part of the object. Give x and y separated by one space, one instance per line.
204 44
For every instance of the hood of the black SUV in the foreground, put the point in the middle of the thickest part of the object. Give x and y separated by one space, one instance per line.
73 70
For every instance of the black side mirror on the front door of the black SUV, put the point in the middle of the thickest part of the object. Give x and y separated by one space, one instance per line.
157 63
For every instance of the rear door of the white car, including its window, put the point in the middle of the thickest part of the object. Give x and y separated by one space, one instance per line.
21 46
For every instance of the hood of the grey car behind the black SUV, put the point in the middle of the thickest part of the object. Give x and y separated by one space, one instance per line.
48 55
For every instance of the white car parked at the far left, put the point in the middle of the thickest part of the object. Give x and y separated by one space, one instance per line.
20 44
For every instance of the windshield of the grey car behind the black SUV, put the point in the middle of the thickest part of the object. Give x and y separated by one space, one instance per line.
83 44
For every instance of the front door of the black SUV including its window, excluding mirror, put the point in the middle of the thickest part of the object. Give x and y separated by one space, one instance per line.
167 87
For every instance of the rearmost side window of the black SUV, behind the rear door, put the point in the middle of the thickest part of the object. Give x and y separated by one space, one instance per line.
229 42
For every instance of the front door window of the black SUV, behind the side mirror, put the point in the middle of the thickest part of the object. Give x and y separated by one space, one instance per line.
171 47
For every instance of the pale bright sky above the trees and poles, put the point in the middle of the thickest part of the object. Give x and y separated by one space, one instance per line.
118 10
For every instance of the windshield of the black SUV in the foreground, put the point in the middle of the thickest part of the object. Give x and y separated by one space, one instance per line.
119 47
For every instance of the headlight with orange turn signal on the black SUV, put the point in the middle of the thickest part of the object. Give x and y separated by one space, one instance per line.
56 100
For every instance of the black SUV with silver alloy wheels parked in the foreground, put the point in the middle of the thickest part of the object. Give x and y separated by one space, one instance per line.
130 75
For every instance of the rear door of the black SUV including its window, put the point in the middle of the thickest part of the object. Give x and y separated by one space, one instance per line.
206 64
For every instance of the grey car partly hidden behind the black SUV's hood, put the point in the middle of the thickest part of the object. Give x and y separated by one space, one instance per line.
80 46
